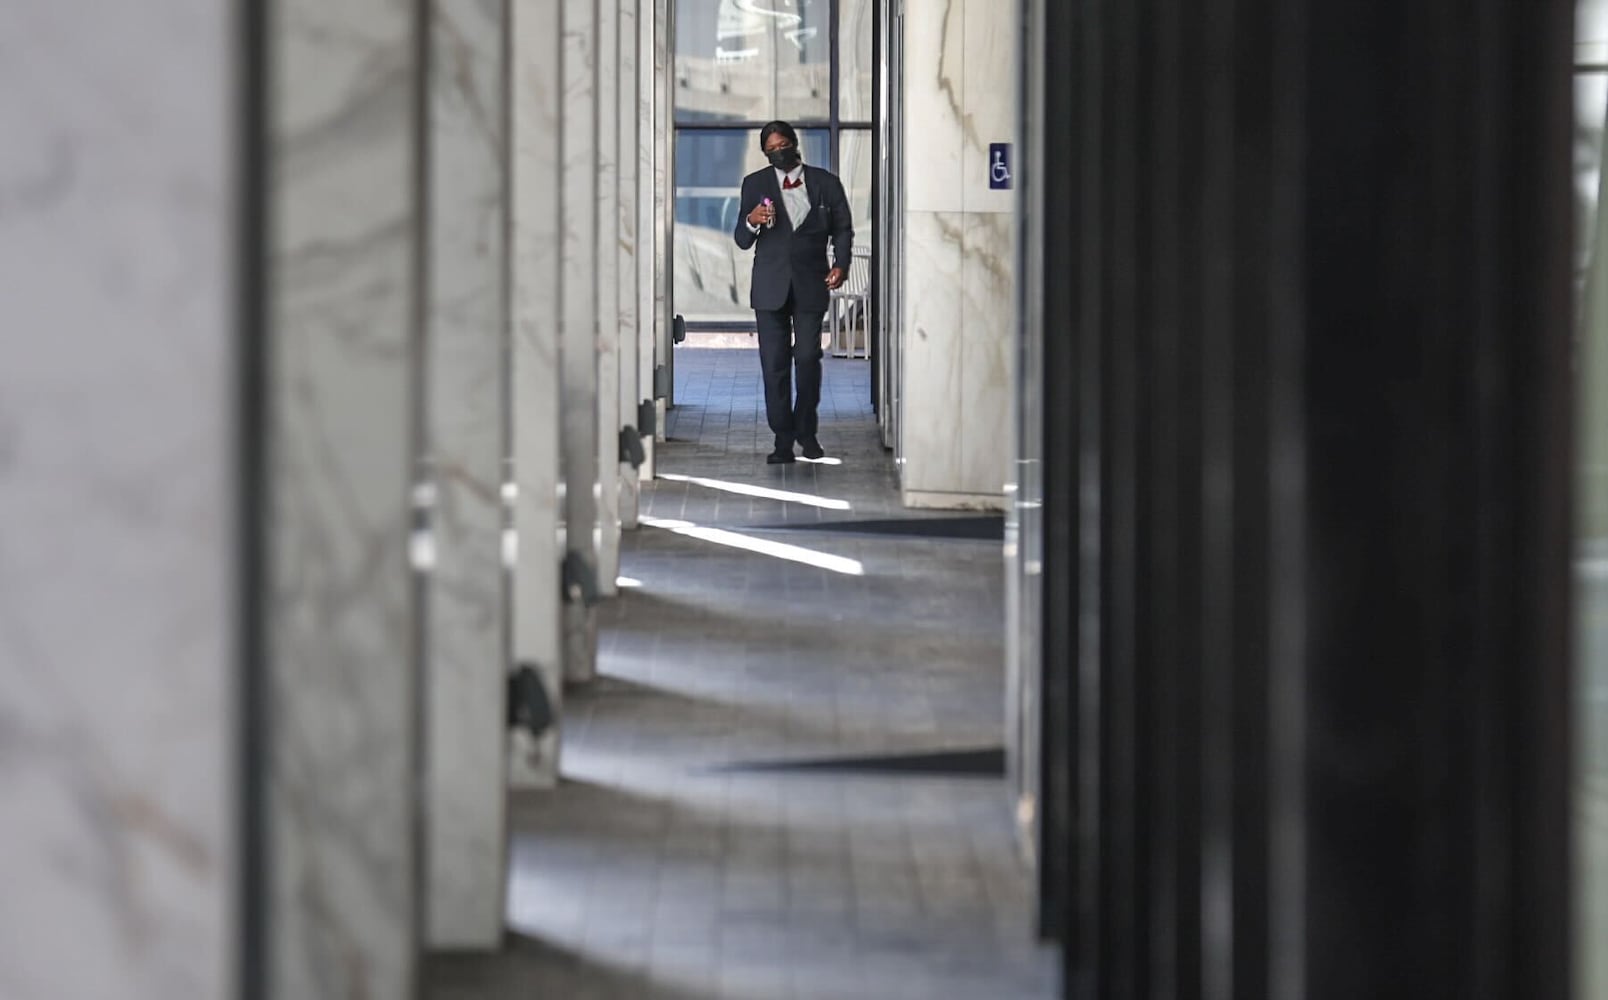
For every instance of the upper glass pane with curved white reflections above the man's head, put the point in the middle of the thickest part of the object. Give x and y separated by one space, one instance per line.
753 60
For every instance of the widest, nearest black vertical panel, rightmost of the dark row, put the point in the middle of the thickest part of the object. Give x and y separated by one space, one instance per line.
1437 276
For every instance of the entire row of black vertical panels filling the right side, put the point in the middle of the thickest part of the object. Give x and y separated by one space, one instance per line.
1306 337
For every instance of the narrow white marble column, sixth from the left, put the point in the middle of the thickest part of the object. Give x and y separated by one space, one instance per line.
609 89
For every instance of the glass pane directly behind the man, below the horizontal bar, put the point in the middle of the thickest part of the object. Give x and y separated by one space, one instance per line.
712 276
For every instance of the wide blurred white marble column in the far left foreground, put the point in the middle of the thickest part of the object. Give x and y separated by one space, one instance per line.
120 499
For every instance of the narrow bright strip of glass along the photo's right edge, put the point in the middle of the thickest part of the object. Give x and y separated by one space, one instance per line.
1591 554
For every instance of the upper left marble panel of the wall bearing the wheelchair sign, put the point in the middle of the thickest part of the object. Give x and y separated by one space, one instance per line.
937 125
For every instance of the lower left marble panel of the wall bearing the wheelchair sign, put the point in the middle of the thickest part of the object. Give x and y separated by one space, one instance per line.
935 253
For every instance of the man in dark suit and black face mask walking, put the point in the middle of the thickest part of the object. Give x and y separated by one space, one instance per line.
789 211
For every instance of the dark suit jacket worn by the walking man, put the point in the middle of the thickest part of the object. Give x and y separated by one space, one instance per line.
789 258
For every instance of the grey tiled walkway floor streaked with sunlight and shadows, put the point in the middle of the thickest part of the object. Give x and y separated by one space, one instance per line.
667 869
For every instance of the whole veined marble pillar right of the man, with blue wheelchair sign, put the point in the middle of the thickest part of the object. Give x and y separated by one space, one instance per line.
959 253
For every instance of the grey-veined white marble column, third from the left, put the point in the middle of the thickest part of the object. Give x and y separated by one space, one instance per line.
466 637
